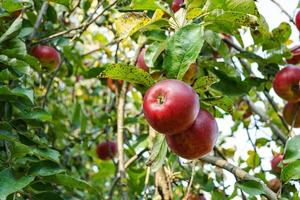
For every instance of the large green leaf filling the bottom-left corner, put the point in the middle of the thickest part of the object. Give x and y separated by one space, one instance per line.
10 184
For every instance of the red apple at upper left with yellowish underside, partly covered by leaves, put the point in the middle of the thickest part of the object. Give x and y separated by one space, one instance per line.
48 56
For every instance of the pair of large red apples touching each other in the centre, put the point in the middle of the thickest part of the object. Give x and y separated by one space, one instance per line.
172 108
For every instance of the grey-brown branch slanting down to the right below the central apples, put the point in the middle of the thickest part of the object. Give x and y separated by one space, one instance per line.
238 172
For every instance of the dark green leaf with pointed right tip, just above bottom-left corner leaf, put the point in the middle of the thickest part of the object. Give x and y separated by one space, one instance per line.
45 168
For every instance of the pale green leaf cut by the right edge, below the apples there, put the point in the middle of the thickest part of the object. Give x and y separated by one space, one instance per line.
292 150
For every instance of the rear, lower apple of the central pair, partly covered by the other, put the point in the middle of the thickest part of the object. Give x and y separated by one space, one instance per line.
196 141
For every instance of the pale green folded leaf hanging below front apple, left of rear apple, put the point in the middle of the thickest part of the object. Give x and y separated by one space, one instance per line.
158 153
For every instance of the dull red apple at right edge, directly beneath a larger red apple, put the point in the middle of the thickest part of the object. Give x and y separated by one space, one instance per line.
289 112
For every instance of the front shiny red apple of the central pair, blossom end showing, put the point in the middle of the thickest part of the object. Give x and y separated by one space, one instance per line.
171 106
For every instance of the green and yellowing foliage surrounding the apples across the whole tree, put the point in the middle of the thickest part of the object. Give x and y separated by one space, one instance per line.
50 123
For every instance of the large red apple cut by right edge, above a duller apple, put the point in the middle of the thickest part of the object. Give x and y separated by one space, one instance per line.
287 83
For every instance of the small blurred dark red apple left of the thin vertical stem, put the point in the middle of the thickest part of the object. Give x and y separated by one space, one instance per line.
106 150
